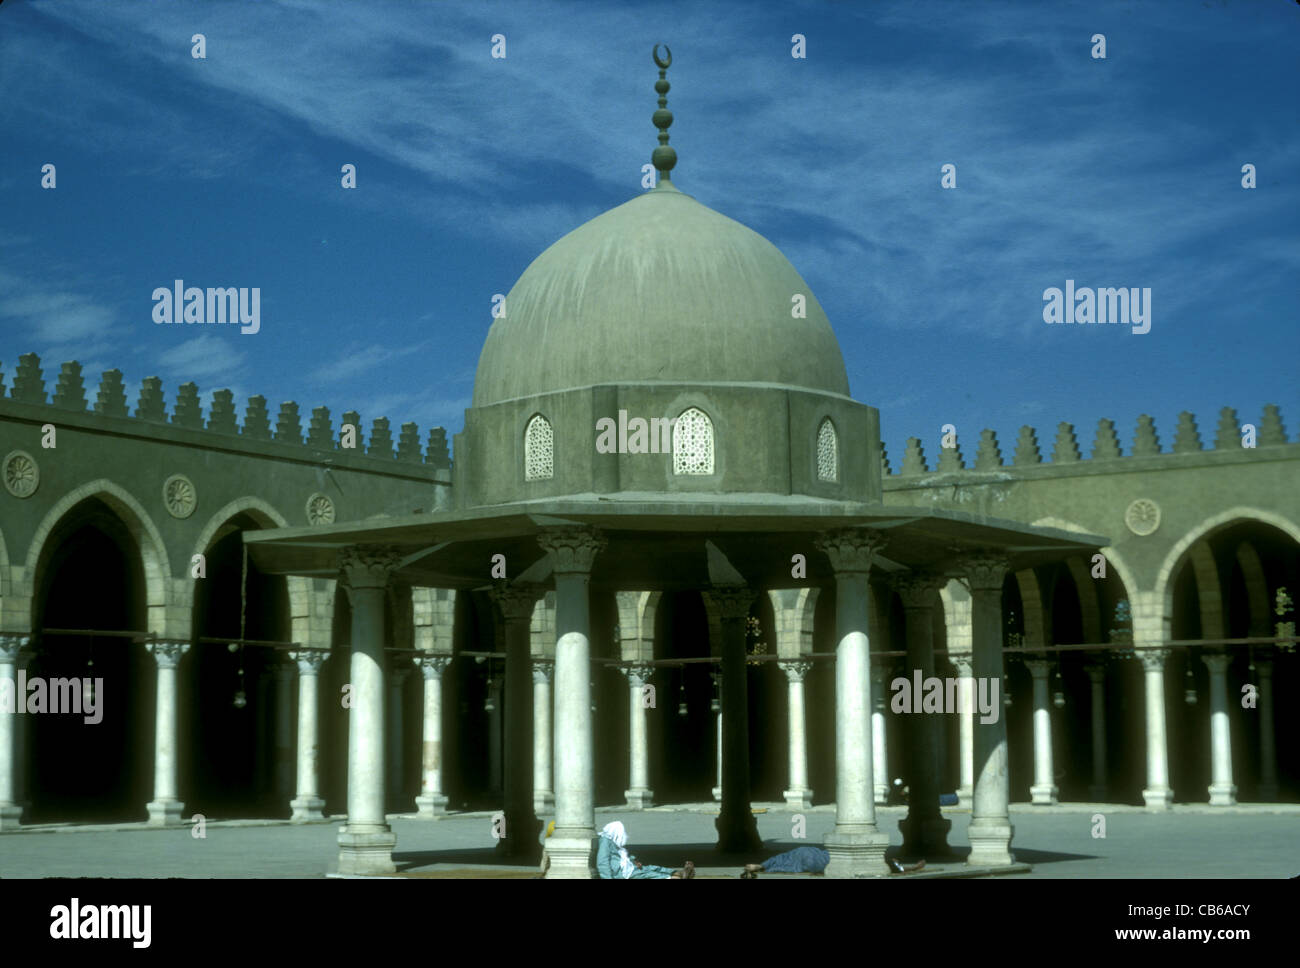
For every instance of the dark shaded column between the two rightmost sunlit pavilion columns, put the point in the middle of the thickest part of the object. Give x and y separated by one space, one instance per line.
925 828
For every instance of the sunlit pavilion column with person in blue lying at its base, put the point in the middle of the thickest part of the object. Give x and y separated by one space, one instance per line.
856 845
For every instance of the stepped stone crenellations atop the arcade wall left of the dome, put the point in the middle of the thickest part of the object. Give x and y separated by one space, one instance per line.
285 429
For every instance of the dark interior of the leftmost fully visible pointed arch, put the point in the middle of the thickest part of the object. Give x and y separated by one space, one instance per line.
92 578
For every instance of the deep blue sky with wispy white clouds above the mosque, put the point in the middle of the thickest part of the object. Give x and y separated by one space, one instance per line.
226 172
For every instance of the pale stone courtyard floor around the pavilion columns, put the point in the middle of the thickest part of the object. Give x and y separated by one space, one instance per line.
1190 841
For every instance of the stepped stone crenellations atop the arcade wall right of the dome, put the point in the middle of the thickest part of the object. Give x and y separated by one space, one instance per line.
1230 436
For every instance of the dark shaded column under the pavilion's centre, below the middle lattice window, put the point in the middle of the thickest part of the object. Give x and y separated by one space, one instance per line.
738 831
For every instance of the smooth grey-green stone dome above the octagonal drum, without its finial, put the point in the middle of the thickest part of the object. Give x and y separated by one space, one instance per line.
660 290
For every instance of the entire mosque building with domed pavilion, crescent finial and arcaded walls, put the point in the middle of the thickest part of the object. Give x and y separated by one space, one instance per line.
313 623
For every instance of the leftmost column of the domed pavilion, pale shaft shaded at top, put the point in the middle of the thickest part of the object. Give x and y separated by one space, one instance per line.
366 843
